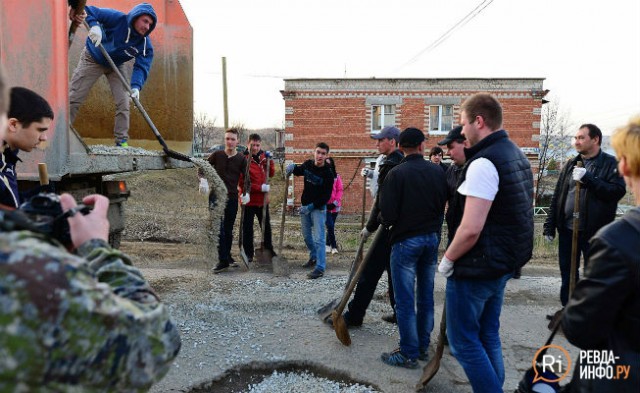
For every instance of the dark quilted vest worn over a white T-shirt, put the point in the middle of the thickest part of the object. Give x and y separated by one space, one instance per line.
506 241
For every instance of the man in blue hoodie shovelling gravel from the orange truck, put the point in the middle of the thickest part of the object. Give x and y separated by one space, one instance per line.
125 37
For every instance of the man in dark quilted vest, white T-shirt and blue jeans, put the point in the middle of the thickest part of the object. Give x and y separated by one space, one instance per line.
494 238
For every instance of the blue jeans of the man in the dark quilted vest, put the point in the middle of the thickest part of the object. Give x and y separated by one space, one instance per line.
473 330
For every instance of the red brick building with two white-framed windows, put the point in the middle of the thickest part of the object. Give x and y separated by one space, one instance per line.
344 113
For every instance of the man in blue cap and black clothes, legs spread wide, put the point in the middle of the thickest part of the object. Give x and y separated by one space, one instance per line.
387 144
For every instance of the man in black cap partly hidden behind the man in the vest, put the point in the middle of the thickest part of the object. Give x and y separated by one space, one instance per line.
455 143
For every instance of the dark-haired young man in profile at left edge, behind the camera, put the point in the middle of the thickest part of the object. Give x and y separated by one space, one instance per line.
30 117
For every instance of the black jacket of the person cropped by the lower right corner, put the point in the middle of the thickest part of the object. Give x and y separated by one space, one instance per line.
604 311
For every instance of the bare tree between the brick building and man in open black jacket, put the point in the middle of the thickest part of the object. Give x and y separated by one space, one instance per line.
555 144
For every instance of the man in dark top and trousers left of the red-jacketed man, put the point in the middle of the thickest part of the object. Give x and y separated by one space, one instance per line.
229 165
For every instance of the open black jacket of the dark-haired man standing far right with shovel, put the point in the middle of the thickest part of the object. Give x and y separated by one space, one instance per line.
604 187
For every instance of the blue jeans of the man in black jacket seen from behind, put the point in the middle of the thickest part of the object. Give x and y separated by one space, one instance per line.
412 260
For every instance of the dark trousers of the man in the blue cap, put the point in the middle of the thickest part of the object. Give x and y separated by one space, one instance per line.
380 261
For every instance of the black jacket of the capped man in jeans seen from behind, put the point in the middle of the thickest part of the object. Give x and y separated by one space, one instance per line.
413 198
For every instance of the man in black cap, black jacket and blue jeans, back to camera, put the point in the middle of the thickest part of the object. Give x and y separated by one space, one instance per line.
412 202
